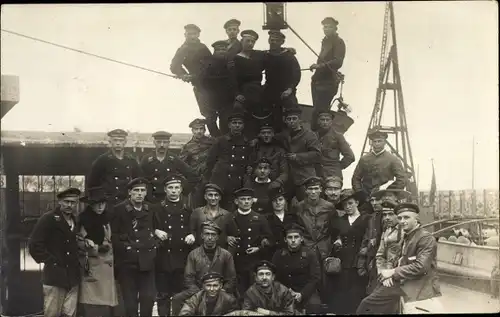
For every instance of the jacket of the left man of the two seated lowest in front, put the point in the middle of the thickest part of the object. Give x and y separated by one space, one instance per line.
196 305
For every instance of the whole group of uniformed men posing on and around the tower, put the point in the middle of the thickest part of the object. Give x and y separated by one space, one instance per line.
245 218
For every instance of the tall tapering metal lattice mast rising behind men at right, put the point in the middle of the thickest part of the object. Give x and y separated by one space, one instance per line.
389 80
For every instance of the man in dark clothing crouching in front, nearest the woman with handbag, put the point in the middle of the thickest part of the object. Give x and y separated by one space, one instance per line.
298 269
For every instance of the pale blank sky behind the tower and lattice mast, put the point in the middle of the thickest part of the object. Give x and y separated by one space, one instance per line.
448 54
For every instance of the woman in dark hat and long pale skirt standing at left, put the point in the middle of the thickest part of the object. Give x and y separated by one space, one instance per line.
98 292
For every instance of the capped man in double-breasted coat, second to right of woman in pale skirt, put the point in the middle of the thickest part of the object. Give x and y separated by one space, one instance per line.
171 223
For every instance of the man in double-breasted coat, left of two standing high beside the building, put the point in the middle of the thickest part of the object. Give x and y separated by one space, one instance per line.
114 169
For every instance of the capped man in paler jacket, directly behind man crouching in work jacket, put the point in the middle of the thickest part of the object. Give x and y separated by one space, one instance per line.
211 211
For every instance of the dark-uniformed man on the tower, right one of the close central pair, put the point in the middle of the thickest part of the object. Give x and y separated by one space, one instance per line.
282 77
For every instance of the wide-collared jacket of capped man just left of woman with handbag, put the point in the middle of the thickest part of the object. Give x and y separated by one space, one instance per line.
317 221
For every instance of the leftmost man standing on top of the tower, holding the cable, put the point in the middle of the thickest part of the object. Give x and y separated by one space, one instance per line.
191 56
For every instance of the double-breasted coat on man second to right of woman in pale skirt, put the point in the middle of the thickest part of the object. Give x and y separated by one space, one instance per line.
173 218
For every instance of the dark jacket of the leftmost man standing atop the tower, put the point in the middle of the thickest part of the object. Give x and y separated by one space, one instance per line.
191 56
